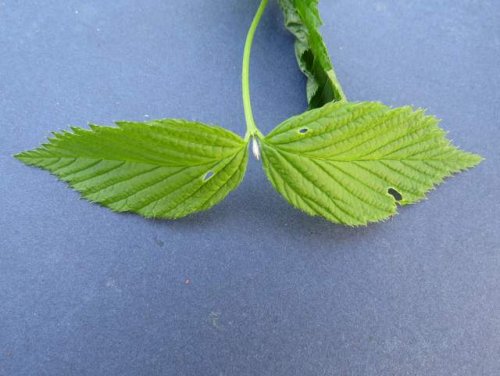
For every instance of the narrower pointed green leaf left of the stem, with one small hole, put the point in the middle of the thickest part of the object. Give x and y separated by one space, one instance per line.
160 169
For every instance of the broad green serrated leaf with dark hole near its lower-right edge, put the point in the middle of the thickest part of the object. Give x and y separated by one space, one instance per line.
351 162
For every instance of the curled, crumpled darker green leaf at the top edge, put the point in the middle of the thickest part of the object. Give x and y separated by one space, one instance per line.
302 19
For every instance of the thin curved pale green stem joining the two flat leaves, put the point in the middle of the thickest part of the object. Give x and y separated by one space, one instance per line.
252 129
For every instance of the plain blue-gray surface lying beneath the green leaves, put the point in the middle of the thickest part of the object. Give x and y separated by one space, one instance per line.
252 287
